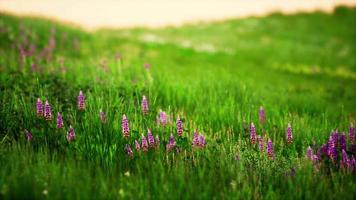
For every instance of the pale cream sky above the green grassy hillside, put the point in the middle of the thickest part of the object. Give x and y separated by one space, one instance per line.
93 14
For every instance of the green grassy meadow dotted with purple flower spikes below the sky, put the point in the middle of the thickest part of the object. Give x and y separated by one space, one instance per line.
252 108
